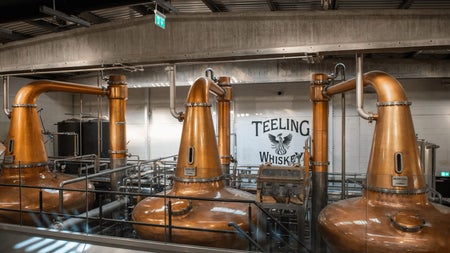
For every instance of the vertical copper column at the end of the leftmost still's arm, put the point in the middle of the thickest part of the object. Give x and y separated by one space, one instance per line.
118 95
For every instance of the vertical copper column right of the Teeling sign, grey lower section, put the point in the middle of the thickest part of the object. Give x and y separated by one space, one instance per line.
319 156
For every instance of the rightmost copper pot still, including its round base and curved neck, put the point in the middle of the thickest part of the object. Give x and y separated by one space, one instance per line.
393 215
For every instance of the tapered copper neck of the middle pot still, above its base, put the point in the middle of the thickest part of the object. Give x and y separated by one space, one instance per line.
198 157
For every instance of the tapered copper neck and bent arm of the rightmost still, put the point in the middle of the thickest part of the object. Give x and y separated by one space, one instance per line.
394 165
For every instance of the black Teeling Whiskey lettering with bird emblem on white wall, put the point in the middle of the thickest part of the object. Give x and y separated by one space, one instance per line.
280 142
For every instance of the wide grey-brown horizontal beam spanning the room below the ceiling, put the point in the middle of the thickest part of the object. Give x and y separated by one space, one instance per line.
205 37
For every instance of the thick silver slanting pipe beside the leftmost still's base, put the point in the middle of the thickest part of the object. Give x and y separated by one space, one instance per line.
94 213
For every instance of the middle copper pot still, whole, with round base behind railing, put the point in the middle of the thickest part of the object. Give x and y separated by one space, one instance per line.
198 174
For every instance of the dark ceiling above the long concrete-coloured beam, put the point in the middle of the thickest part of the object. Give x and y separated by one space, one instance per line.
23 19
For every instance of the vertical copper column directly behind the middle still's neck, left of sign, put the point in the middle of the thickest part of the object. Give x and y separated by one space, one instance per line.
223 122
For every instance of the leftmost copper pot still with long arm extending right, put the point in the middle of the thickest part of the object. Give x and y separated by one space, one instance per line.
32 195
